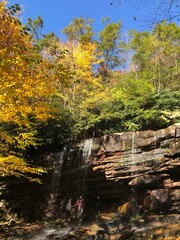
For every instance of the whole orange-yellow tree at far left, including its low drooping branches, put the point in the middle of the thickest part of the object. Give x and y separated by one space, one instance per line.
25 92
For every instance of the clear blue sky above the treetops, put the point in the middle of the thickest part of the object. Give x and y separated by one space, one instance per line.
57 14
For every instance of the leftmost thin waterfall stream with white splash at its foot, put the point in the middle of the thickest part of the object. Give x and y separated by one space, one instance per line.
52 230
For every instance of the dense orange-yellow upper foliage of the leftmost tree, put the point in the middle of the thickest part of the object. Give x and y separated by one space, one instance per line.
21 85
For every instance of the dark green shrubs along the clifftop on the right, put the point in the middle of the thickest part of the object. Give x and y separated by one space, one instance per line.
158 111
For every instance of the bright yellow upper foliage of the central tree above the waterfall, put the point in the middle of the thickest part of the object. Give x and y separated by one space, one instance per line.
81 83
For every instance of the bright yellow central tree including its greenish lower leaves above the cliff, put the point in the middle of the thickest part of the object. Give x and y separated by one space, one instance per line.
83 86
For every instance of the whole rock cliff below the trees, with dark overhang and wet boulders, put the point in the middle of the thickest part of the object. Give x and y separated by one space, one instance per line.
134 176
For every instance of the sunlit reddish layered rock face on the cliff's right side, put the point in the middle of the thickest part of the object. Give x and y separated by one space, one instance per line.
143 160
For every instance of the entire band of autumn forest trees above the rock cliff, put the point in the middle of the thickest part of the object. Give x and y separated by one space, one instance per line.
54 91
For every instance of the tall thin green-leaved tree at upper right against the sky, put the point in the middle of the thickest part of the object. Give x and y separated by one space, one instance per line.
157 55
